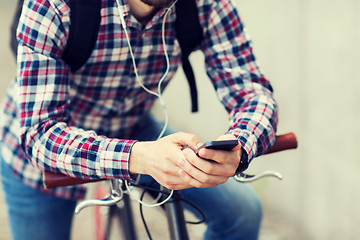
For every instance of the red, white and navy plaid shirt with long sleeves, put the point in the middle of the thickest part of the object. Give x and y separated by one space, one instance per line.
80 123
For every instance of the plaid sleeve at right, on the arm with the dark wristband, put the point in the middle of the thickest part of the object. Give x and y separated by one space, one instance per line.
241 87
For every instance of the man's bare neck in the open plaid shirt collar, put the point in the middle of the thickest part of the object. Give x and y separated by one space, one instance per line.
141 11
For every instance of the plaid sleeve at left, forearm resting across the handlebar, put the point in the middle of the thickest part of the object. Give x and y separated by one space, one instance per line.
47 136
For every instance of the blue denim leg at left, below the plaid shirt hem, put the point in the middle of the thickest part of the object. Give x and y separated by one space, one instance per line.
33 214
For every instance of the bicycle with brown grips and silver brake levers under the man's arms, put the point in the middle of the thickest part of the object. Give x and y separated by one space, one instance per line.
172 203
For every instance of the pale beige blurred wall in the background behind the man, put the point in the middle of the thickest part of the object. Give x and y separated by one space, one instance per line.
310 50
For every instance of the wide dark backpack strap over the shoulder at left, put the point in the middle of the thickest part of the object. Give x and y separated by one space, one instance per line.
84 27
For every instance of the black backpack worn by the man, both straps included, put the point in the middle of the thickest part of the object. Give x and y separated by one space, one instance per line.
85 23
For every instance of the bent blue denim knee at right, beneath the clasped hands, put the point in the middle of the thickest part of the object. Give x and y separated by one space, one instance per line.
233 210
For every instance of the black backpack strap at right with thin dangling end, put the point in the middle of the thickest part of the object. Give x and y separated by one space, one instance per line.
189 34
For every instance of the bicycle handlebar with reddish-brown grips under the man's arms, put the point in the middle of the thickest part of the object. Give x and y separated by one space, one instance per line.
51 179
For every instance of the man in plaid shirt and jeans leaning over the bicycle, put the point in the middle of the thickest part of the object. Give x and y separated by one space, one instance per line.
96 123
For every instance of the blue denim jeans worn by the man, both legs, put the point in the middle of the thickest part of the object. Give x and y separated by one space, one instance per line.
232 210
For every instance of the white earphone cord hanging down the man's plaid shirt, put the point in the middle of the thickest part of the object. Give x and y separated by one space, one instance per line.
157 94
